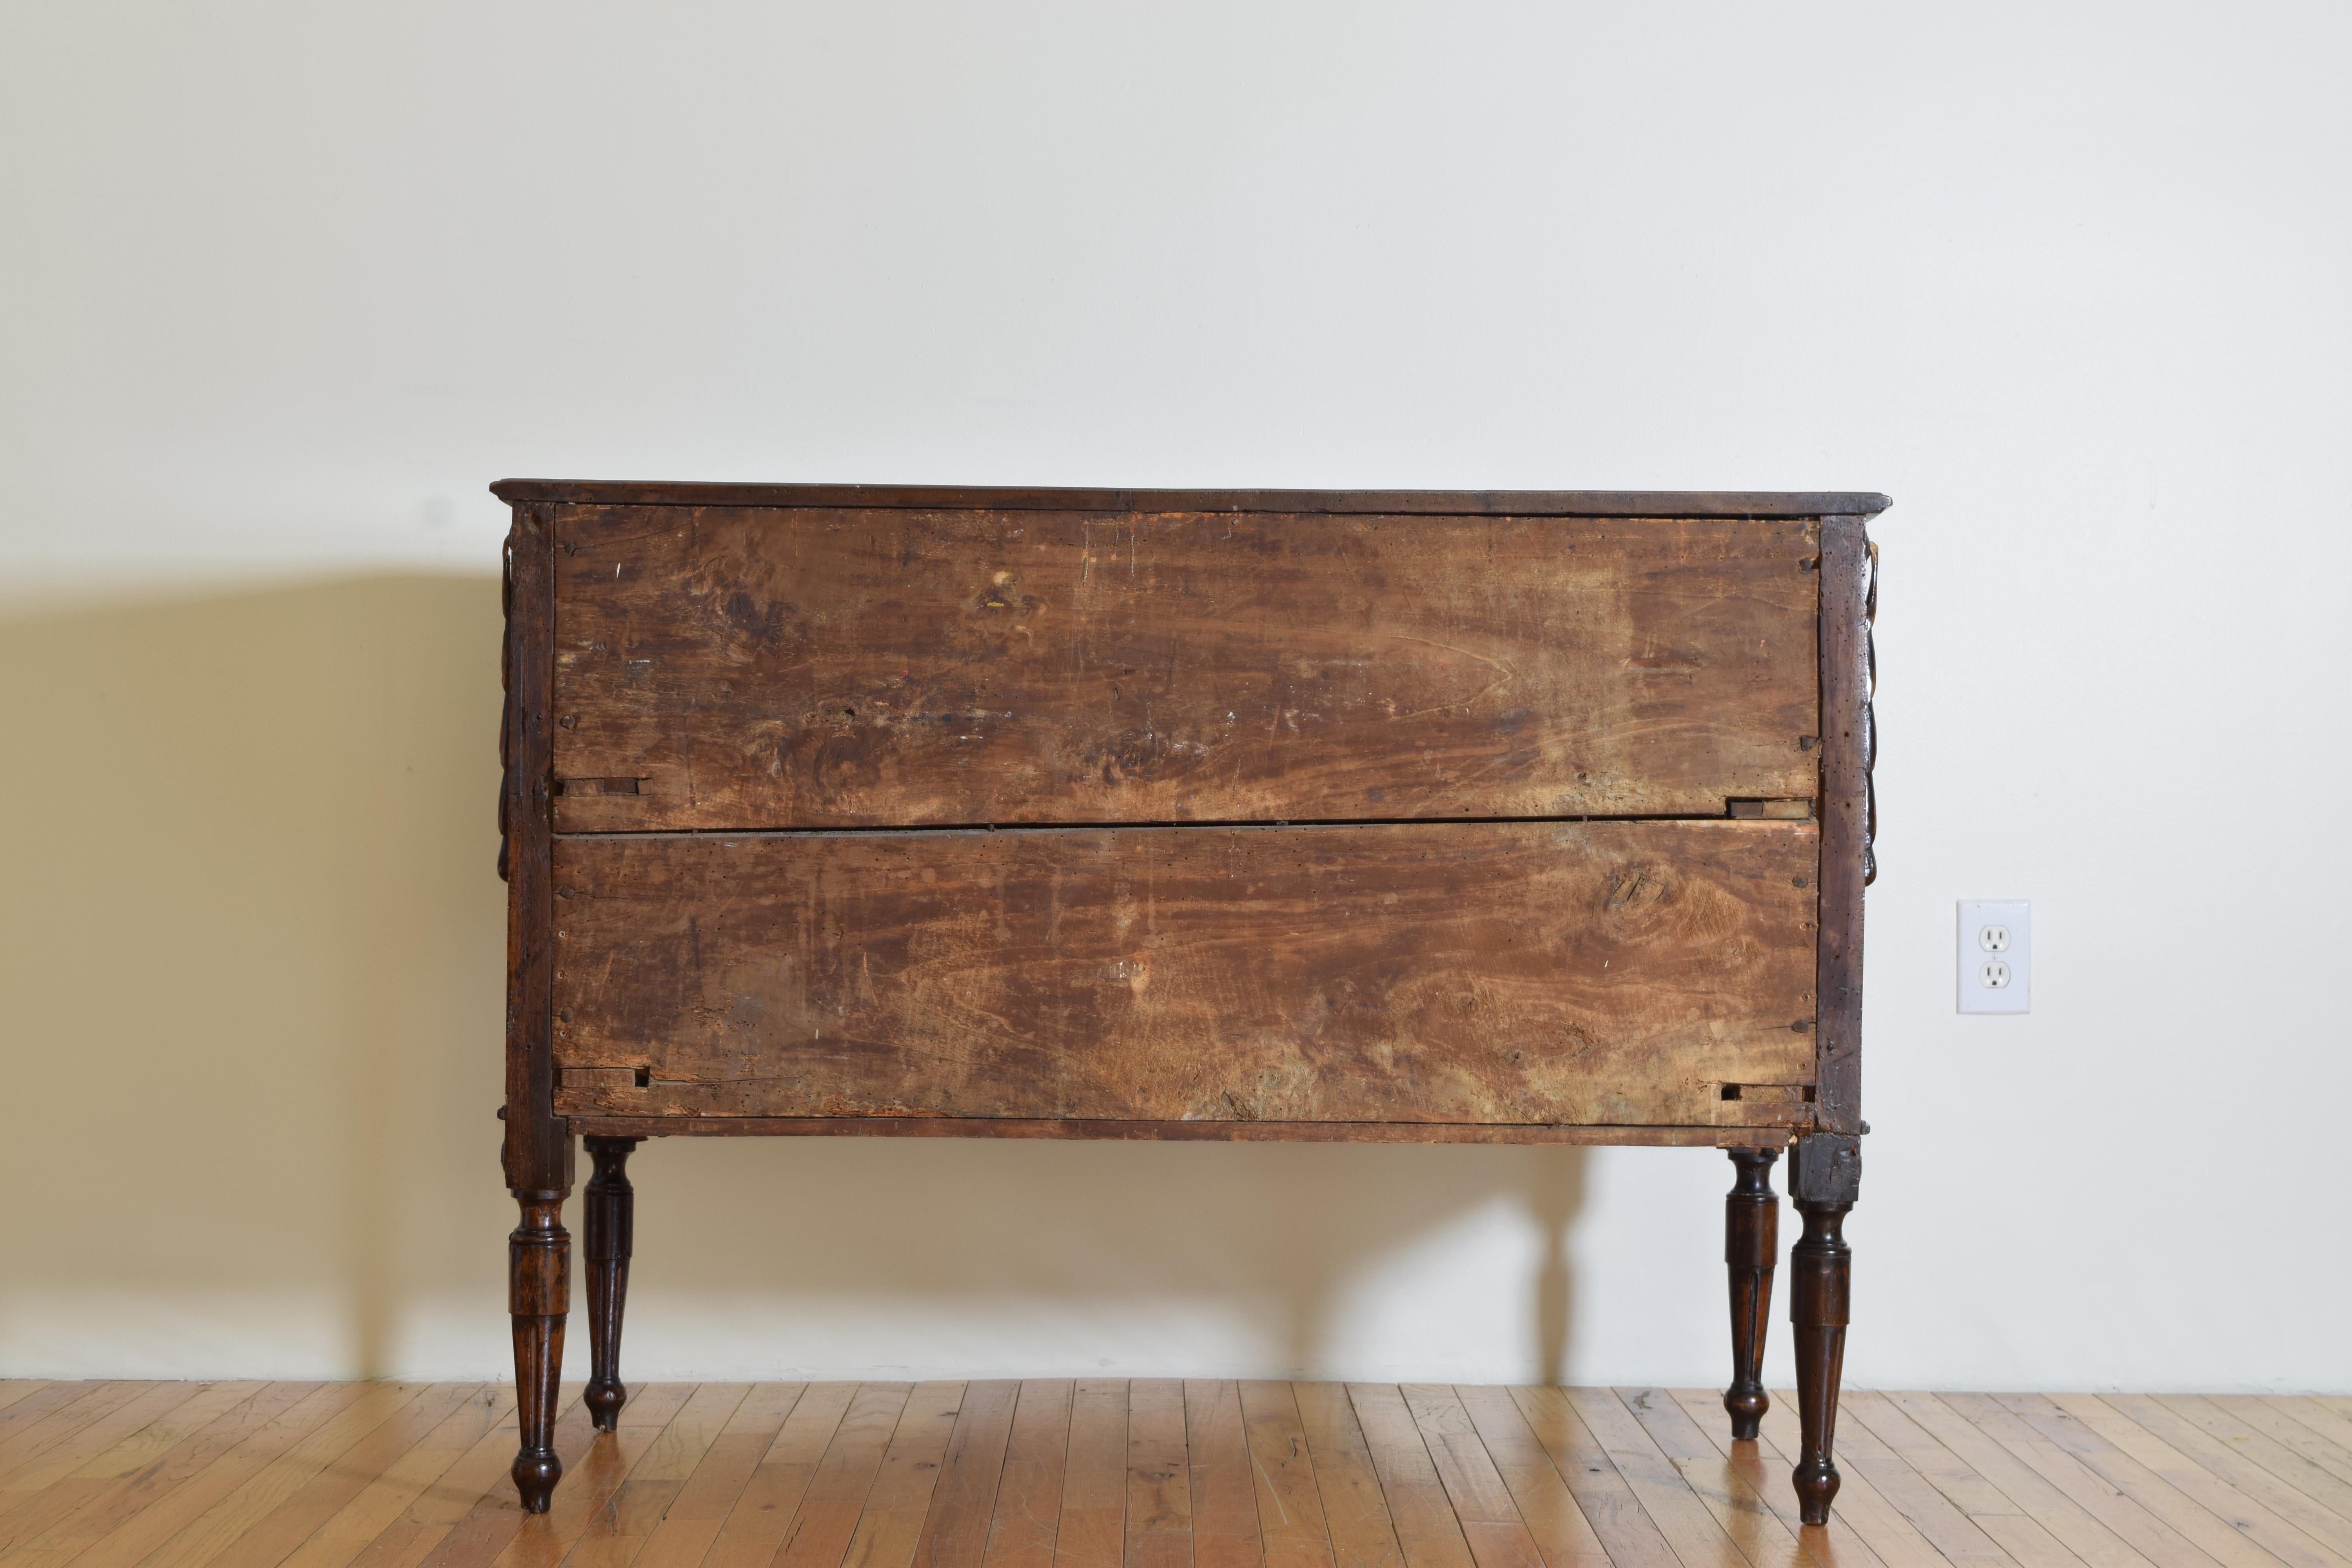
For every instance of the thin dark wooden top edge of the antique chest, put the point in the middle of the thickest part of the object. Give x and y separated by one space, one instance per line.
1377 502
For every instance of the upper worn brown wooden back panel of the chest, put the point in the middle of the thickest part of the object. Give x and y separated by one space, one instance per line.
749 669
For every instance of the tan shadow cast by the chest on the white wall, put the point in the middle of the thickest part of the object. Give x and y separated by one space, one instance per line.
253 1003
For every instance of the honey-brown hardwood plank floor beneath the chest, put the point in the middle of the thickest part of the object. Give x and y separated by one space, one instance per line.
1158 1475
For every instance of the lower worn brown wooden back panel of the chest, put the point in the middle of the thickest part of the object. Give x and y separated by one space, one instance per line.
1417 972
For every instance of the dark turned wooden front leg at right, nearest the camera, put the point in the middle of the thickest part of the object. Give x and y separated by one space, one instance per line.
1826 1177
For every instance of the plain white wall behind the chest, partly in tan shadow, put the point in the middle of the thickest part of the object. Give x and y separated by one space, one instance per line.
290 286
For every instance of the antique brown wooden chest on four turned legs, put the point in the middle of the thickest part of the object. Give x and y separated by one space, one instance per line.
1187 815
